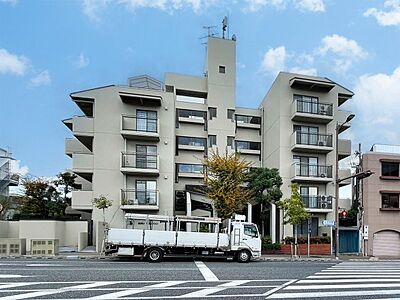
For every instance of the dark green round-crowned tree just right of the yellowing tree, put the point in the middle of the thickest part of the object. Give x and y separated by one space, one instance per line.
266 186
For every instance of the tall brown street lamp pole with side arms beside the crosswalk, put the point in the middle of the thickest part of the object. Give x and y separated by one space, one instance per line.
337 180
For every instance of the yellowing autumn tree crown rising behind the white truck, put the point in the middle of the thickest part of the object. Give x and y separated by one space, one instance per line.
225 180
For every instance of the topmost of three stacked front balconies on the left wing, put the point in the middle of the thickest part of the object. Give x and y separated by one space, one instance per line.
140 128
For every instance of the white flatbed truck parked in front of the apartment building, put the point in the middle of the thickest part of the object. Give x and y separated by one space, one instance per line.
154 236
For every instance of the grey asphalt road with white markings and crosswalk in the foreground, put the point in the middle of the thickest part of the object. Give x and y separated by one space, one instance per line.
188 279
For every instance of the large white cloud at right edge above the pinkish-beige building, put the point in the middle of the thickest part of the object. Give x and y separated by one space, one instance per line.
376 106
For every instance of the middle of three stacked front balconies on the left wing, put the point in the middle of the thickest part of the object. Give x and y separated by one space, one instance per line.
140 164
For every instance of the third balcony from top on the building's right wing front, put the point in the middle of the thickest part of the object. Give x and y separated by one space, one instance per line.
311 173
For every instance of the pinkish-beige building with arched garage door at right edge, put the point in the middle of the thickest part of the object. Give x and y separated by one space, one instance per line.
381 200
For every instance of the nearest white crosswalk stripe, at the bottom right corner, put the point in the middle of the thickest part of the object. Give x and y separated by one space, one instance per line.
325 294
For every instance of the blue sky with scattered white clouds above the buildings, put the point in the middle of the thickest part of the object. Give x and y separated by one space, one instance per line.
49 49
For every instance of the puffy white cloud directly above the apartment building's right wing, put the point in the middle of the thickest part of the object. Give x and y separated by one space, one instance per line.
343 50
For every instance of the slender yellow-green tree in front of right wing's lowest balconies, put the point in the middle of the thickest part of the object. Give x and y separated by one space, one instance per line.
294 211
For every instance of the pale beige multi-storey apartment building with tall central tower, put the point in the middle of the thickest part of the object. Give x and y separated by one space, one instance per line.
142 145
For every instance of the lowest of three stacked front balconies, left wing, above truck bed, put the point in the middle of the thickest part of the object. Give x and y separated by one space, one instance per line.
132 199
